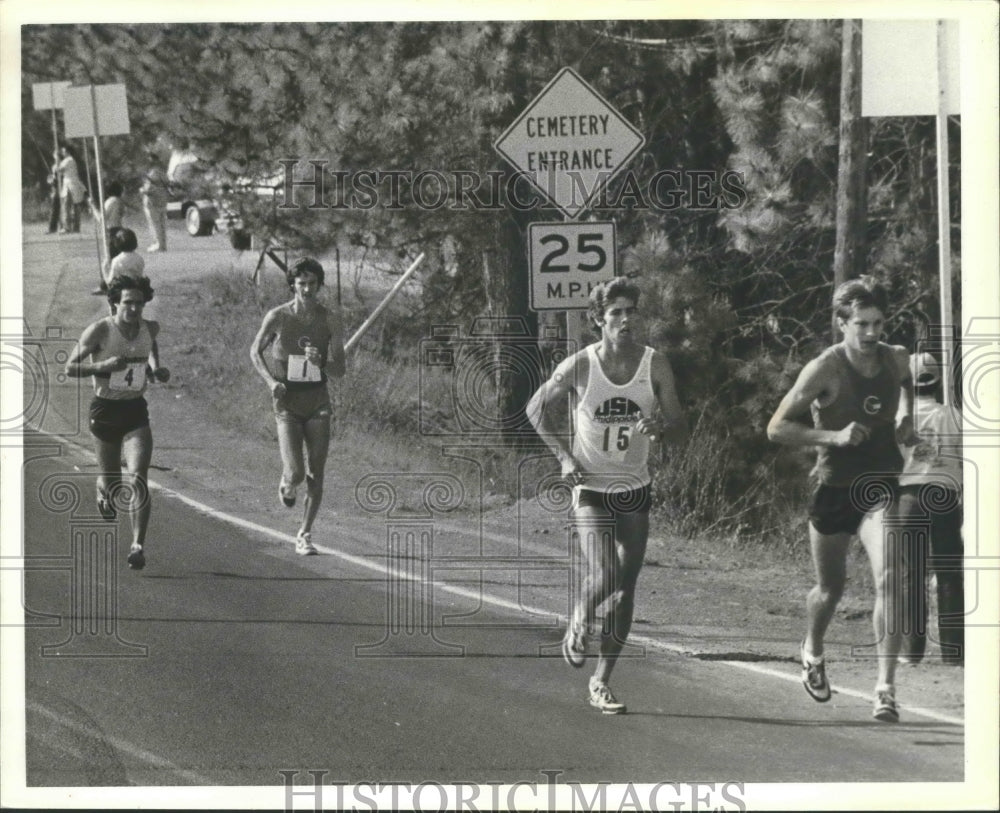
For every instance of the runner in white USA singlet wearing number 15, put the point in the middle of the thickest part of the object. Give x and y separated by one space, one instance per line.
623 397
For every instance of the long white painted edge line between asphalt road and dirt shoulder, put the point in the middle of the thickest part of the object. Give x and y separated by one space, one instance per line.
499 602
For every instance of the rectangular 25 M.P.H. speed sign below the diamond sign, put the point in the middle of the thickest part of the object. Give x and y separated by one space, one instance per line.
567 260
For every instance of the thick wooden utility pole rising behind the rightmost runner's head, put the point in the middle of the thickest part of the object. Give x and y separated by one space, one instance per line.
852 199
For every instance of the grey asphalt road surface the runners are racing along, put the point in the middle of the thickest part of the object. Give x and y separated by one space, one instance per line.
229 659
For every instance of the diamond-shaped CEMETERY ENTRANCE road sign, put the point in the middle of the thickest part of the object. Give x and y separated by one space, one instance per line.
569 142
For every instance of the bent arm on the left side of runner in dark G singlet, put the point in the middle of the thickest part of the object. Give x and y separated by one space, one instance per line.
787 425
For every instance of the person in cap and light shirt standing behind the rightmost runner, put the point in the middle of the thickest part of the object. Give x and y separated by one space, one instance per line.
930 508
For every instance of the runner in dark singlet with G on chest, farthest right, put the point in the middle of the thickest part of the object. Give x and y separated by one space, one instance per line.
852 393
